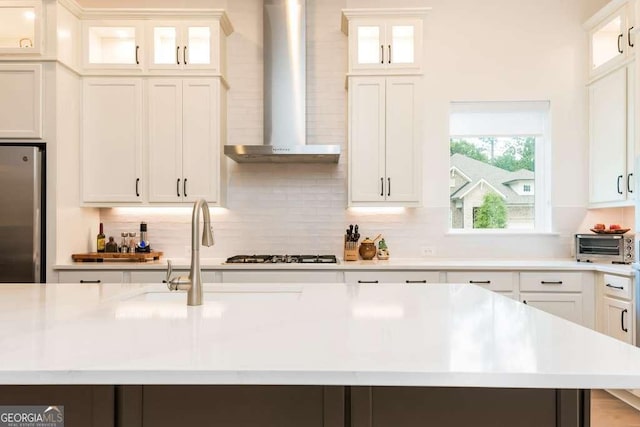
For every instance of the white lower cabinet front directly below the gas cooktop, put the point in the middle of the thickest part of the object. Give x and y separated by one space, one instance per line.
280 277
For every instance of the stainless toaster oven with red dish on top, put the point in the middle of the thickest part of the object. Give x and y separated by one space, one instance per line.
610 248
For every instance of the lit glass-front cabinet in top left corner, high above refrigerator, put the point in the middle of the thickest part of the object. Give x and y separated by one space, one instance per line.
20 27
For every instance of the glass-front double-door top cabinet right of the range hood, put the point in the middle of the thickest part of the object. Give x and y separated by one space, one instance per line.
384 40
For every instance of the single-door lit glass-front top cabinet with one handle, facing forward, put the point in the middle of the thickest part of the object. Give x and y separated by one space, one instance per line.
113 44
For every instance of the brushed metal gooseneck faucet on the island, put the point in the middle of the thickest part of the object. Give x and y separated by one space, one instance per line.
193 283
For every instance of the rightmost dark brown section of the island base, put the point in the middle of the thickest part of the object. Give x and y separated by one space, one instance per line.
458 407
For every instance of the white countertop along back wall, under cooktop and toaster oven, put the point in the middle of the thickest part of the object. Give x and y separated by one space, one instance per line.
391 264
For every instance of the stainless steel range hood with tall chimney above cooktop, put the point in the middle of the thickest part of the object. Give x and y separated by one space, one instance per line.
284 92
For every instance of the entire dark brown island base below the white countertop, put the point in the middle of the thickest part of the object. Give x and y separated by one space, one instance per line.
309 406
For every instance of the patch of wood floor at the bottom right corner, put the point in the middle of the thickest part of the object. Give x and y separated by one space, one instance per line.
608 411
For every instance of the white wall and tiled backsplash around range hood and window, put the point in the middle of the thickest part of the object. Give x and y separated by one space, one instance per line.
489 50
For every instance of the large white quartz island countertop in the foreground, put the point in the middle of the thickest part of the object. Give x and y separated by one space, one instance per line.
384 334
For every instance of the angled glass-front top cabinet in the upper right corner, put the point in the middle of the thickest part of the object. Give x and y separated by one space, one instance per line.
611 38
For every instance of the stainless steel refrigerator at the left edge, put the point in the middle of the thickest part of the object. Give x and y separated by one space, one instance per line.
22 212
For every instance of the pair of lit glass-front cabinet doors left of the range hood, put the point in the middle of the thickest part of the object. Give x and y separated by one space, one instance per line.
183 45
